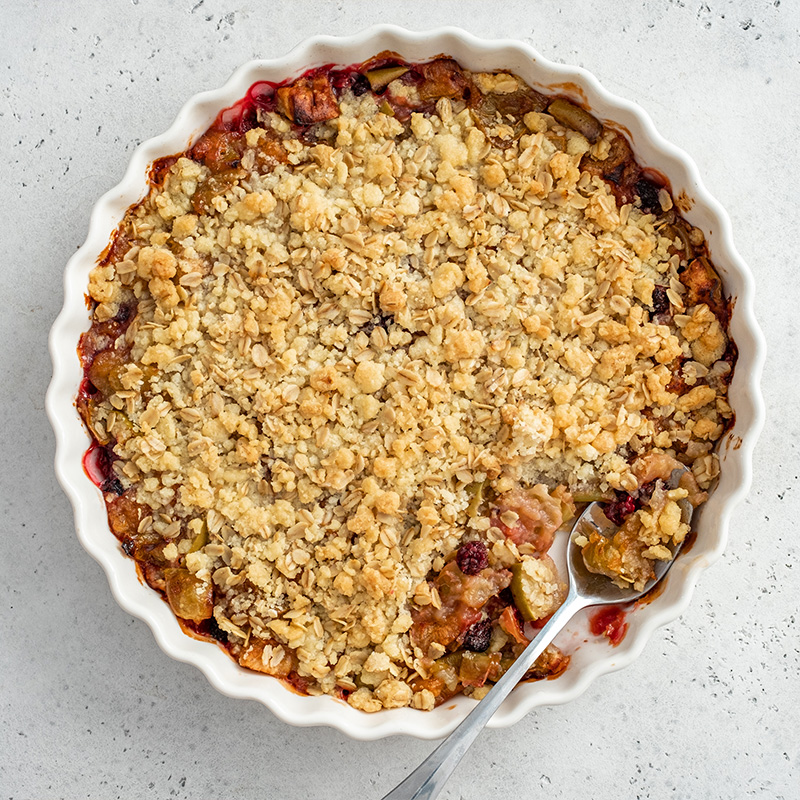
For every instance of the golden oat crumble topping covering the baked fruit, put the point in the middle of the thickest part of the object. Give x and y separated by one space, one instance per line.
341 339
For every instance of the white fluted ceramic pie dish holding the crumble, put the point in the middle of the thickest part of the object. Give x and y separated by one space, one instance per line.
589 657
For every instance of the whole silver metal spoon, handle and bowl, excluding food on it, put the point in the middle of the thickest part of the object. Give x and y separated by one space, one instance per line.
585 589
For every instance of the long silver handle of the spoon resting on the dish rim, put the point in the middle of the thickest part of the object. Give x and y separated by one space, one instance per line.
428 779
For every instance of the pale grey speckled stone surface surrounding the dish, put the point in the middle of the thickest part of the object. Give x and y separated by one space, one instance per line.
91 708
